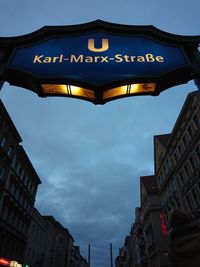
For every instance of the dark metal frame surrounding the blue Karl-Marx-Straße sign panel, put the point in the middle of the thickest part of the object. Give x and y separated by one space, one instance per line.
188 45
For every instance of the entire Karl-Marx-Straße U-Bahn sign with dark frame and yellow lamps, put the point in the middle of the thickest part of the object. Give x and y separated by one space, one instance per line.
99 61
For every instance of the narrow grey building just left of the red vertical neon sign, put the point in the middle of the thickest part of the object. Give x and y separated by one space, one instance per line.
156 238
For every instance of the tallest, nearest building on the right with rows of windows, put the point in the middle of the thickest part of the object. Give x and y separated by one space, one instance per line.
177 161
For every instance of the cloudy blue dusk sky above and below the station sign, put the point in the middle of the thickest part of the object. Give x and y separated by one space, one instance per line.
89 157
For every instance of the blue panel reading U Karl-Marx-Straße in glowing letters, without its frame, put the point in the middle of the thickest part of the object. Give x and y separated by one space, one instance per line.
98 58
